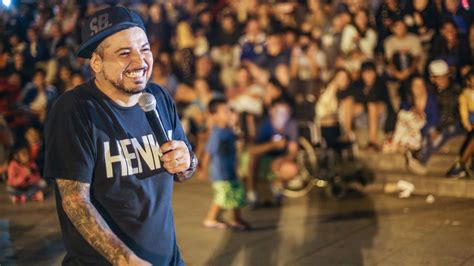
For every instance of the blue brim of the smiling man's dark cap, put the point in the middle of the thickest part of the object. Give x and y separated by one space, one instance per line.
87 48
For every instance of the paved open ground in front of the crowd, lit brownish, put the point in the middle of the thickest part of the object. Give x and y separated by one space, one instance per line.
376 229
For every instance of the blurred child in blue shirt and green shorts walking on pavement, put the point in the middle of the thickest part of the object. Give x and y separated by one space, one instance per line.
222 158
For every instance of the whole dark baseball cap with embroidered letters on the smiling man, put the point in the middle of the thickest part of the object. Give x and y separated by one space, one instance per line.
104 23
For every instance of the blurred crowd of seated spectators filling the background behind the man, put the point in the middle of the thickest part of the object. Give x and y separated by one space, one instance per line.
397 66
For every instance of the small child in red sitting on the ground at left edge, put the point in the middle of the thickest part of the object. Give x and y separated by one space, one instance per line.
24 181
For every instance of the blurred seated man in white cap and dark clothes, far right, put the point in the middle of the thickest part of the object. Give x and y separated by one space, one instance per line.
447 93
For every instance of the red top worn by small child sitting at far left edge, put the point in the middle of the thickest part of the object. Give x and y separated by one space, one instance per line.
20 176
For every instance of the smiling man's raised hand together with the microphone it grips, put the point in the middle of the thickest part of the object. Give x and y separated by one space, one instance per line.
176 156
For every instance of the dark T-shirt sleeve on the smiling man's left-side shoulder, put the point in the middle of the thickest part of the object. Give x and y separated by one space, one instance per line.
70 150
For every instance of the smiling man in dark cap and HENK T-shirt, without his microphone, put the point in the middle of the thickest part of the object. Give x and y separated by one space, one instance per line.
114 182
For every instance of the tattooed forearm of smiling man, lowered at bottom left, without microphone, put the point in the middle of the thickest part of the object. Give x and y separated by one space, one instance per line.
87 220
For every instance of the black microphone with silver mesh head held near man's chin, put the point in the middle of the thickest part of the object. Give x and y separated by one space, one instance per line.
147 103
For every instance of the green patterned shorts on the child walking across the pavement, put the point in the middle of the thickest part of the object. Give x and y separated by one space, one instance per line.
229 194
